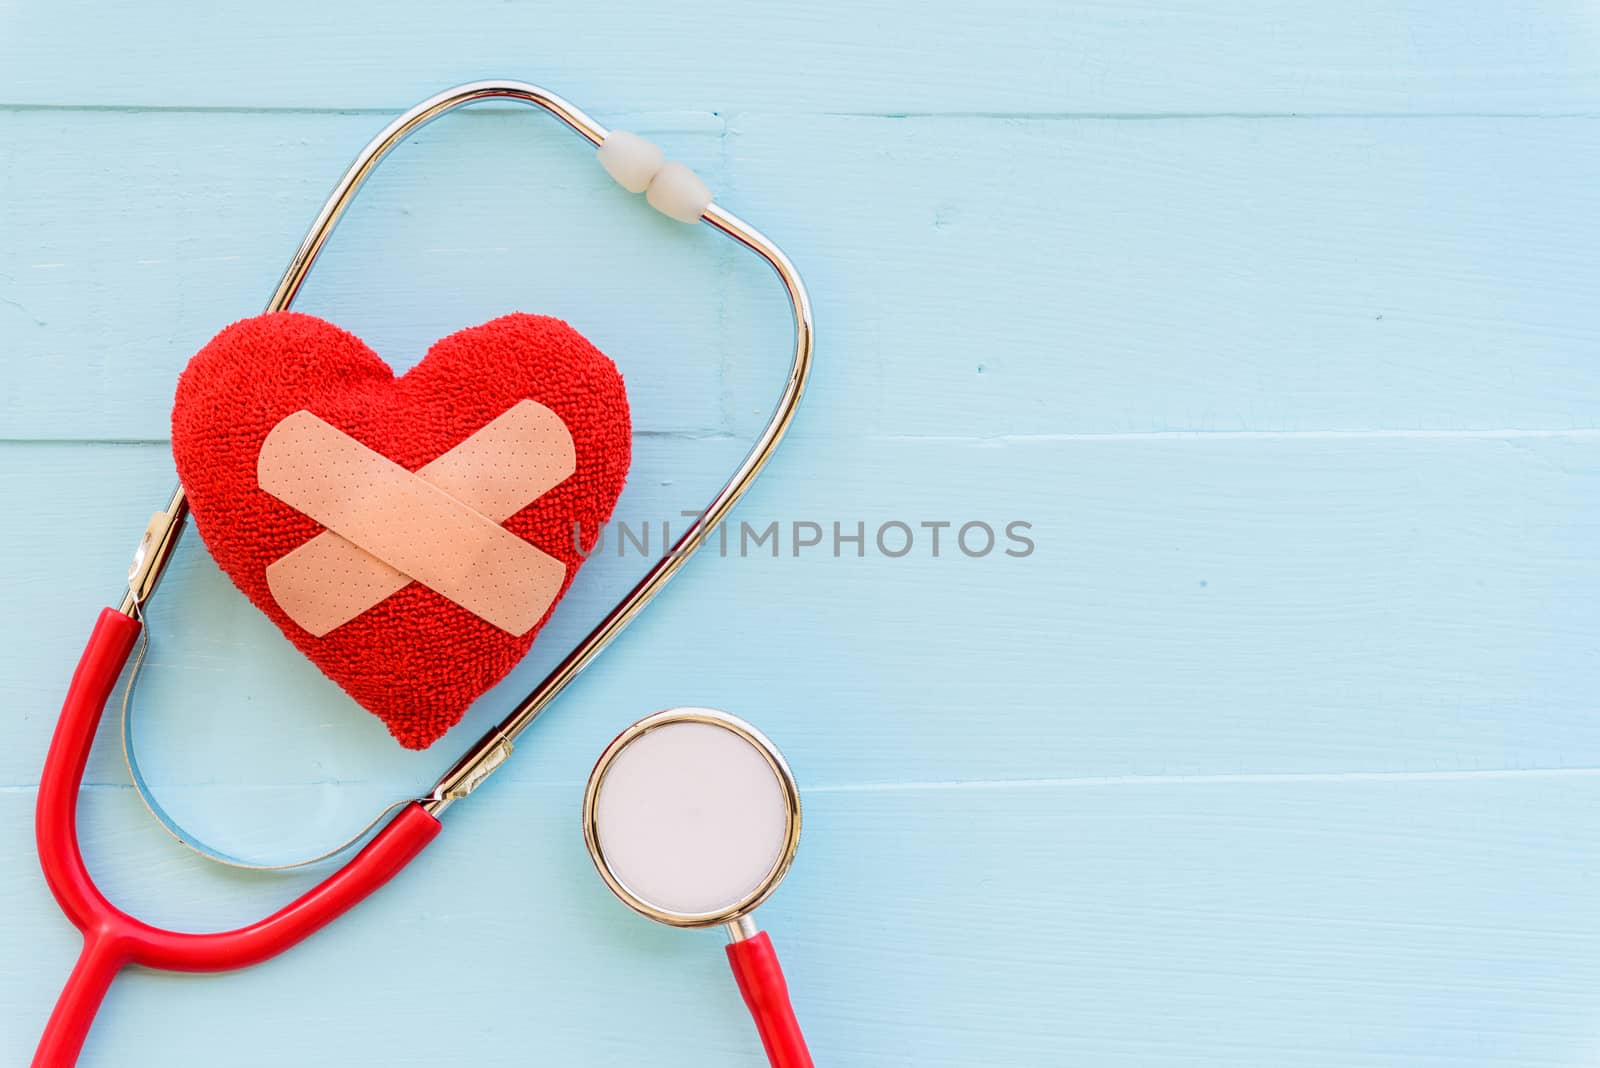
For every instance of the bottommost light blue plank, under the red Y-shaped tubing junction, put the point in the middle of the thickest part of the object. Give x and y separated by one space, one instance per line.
1334 922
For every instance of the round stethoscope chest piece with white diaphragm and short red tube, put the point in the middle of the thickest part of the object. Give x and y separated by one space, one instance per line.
692 819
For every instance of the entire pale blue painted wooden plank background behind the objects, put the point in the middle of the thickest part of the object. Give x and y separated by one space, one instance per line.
1276 321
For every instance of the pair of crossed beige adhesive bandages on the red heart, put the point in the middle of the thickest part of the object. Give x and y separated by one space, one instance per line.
439 525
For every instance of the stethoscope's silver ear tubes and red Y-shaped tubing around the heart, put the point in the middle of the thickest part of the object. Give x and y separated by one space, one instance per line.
114 939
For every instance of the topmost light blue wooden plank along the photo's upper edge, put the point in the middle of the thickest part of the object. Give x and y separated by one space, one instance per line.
828 57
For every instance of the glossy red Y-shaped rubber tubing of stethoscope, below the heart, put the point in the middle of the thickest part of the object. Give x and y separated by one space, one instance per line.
111 938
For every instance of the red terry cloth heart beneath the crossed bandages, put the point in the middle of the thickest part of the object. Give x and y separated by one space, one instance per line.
415 660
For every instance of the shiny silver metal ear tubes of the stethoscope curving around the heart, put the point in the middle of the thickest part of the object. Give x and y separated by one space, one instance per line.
492 751
